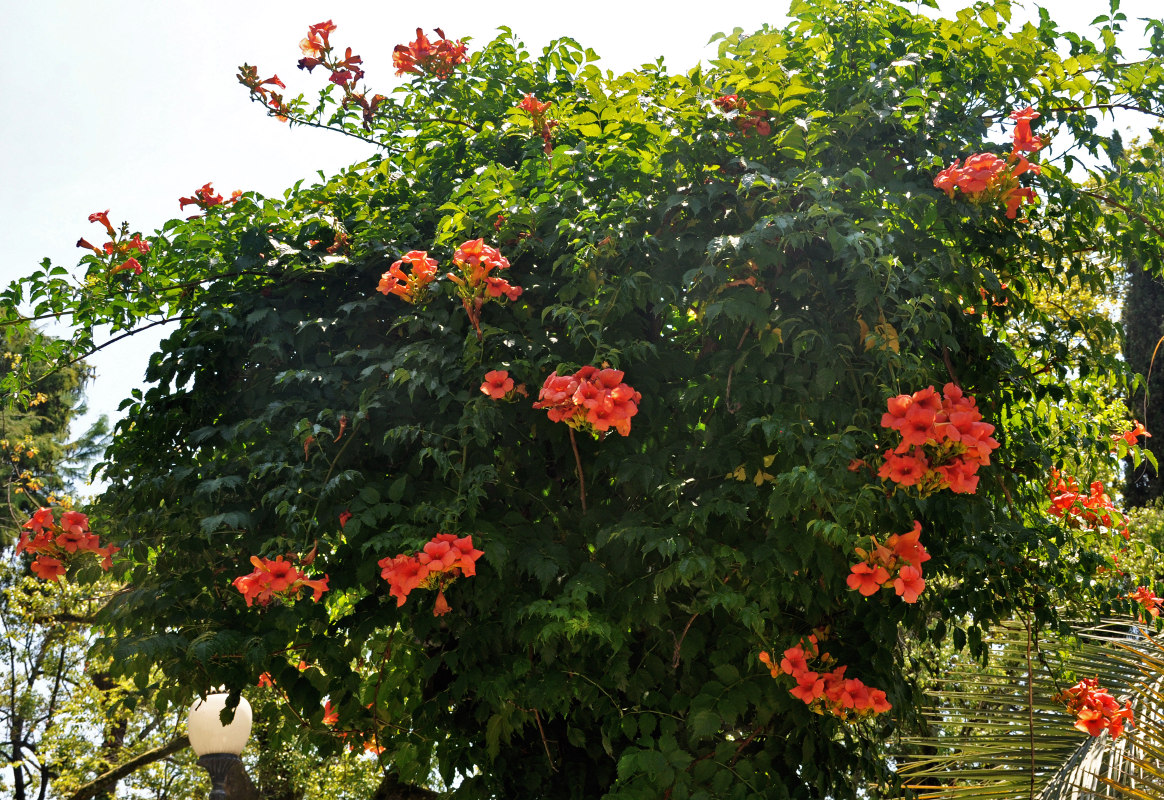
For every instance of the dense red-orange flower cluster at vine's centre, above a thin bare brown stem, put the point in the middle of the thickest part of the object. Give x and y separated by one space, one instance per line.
591 400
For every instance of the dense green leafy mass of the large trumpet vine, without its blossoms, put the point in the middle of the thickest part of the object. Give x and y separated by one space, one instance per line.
608 645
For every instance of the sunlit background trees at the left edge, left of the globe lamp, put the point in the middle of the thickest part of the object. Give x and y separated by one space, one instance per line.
65 717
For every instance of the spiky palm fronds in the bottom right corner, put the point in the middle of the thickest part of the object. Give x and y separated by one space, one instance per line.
997 732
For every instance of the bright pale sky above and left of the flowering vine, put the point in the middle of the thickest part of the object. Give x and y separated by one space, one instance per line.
130 104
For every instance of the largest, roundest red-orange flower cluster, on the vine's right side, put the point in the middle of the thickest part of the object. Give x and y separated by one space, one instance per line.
943 441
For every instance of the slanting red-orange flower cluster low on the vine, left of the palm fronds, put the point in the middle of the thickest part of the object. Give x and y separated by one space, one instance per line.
826 691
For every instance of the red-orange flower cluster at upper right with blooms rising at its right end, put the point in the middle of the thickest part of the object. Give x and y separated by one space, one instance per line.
989 179
